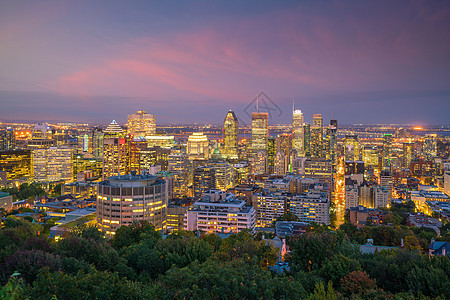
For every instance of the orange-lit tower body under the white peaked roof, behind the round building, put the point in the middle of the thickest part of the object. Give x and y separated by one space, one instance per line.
115 157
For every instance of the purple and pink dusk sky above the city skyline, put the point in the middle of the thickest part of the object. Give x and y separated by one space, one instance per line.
192 61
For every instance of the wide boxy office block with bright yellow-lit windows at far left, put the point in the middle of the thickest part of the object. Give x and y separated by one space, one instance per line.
53 164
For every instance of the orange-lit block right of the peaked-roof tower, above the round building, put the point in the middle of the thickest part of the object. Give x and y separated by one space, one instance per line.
141 157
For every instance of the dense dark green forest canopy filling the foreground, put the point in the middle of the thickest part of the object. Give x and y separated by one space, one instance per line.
138 263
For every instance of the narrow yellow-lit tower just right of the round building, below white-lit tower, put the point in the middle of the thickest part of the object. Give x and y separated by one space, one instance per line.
179 166
